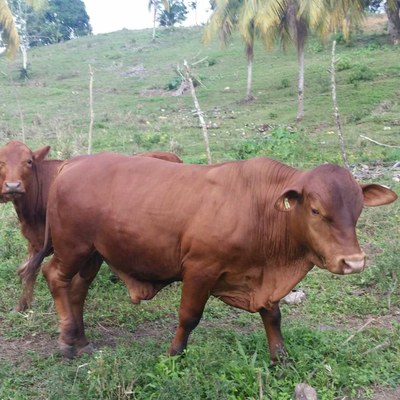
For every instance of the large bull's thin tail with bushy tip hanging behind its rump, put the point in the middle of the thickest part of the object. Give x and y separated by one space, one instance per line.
29 270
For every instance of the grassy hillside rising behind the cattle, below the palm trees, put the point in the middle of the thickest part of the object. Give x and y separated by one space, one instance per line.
134 112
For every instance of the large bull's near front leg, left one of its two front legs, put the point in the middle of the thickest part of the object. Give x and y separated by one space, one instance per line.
196 291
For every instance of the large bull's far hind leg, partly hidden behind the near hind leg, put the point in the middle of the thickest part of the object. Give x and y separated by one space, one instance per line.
78 292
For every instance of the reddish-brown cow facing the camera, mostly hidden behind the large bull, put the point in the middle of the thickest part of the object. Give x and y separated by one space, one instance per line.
25 178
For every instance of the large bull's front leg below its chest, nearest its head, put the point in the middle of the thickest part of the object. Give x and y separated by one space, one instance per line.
272 323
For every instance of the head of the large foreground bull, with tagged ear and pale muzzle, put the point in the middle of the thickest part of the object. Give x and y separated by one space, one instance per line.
323 208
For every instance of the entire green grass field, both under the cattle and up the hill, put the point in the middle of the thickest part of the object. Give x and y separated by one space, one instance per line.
344 339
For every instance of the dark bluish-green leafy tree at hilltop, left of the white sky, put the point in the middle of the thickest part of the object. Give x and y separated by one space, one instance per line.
62 20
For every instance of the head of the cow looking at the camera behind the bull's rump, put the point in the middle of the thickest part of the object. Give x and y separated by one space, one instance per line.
17 165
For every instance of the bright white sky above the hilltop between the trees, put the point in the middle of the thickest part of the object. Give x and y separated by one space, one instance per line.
132 14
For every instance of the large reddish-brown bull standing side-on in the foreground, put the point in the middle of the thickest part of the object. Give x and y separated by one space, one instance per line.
246 232
